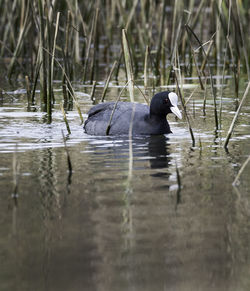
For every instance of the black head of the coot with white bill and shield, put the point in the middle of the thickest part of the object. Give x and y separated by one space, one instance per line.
163 103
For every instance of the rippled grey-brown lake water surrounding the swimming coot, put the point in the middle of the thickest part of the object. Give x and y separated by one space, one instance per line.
123 220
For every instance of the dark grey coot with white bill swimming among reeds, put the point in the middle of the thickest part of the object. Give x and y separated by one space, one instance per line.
145 120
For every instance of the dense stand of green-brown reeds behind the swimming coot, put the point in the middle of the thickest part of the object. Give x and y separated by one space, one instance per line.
157 42
